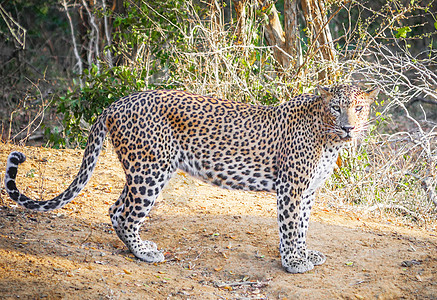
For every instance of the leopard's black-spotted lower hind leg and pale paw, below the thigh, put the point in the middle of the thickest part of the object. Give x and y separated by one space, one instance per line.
127 214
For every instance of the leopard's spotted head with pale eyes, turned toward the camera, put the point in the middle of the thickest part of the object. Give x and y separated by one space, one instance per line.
347 110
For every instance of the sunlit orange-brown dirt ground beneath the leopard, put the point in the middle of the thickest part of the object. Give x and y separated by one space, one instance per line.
218 244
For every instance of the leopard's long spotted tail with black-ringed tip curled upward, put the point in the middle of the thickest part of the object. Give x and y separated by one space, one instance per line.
89 161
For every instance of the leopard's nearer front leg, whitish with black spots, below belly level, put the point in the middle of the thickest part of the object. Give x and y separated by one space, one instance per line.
291 239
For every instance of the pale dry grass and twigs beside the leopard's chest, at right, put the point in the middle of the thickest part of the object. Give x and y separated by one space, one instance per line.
387 176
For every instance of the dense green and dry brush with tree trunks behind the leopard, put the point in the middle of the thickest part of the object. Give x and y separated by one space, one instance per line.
63 62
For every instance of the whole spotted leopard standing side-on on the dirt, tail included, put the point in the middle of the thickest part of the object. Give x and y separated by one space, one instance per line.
289 149
